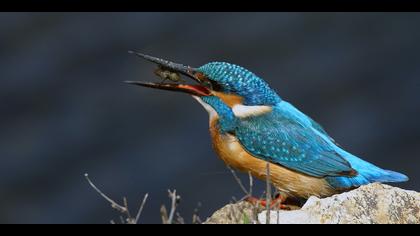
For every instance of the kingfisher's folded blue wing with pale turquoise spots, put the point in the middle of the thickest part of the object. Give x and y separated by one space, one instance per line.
288 138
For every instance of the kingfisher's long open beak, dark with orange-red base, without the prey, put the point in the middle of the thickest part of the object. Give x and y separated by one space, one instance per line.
199 89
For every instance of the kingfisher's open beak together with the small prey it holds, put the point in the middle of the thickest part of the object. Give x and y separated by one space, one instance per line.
168 70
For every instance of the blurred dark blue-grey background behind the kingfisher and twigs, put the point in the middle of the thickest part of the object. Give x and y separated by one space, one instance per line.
65 111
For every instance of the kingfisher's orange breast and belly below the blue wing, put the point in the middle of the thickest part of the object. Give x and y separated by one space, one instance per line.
287 181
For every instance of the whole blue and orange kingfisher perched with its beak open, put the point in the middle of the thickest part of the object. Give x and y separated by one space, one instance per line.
252 127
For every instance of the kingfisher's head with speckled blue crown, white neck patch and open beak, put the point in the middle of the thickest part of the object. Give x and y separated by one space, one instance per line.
222 88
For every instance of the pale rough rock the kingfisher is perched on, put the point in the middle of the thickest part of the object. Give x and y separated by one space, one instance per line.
370 204
